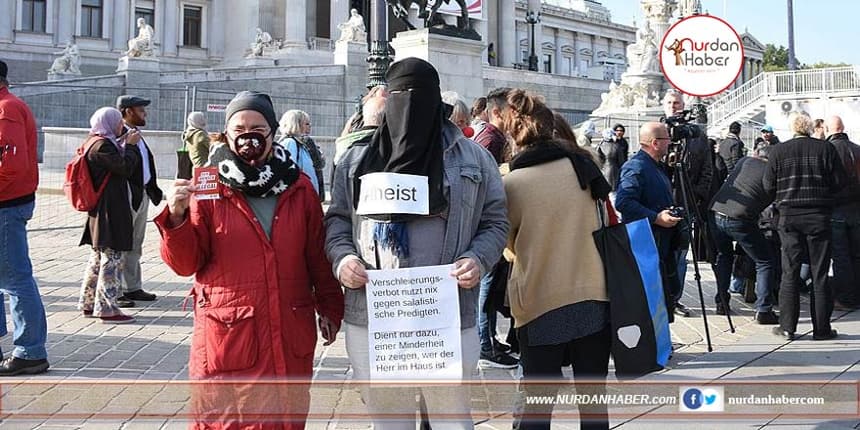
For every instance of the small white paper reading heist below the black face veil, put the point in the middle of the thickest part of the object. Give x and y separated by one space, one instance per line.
393 193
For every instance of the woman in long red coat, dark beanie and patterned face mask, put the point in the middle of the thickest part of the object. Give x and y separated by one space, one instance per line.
261 275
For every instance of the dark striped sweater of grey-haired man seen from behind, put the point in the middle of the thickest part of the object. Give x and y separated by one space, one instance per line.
803 175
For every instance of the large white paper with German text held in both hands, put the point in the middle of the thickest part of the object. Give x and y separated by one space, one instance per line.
414 324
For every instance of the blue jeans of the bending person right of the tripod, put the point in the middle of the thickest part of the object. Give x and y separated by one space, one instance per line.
753 242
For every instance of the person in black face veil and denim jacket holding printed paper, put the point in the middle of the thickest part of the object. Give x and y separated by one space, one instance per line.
466 226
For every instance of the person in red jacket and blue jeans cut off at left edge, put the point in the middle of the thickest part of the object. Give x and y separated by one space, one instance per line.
19 177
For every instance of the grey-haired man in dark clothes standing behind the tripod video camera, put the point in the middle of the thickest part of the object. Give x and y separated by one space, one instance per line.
690 147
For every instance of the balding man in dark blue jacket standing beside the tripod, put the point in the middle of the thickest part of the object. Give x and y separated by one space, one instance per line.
645 191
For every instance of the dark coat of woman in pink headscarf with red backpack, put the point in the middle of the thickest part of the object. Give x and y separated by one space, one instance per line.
109 225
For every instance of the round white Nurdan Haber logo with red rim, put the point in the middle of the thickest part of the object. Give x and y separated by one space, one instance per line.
701 55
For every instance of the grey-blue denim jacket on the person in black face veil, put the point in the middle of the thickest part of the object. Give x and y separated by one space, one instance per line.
476 226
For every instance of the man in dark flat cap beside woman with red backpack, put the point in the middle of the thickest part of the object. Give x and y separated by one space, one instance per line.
144 180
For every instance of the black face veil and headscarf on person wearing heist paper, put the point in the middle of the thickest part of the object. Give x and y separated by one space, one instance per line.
409 139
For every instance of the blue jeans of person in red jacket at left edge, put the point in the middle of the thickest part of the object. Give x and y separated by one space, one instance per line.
16 281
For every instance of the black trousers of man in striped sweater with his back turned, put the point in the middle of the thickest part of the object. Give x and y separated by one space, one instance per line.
800 233
